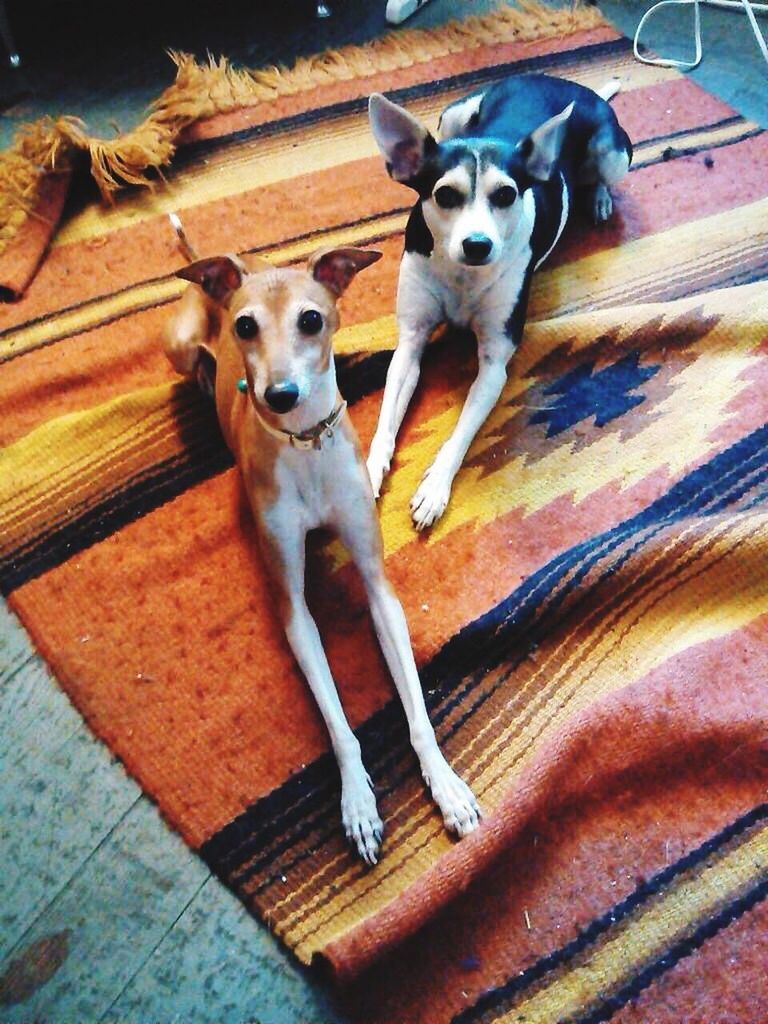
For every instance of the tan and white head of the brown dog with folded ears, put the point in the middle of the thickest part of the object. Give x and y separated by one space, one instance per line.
282 320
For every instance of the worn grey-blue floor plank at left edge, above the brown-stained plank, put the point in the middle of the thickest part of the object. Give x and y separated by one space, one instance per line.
61 792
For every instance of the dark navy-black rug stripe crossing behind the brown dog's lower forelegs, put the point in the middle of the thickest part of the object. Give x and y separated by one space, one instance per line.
485 644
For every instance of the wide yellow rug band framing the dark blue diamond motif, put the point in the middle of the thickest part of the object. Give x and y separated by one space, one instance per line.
133 434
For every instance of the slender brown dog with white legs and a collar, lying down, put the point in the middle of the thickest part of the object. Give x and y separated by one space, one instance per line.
271 331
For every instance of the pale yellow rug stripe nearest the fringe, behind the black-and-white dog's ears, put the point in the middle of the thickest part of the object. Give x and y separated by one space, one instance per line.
238 169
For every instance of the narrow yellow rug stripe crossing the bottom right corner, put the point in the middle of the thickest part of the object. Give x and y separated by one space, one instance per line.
645 937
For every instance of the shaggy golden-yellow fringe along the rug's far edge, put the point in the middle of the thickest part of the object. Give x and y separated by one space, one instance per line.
202 91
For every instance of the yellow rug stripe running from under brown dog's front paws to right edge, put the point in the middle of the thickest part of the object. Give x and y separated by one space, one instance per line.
726 592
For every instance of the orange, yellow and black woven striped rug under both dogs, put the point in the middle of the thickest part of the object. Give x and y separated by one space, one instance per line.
590 617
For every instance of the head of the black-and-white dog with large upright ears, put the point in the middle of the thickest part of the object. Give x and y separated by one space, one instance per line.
472 190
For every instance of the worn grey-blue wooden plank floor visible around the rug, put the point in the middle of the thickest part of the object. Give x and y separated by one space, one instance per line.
105 915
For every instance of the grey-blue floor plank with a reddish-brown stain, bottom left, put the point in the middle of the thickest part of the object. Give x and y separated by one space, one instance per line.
88 945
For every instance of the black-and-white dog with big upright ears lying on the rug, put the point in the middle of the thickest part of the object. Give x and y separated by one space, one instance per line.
495 194
